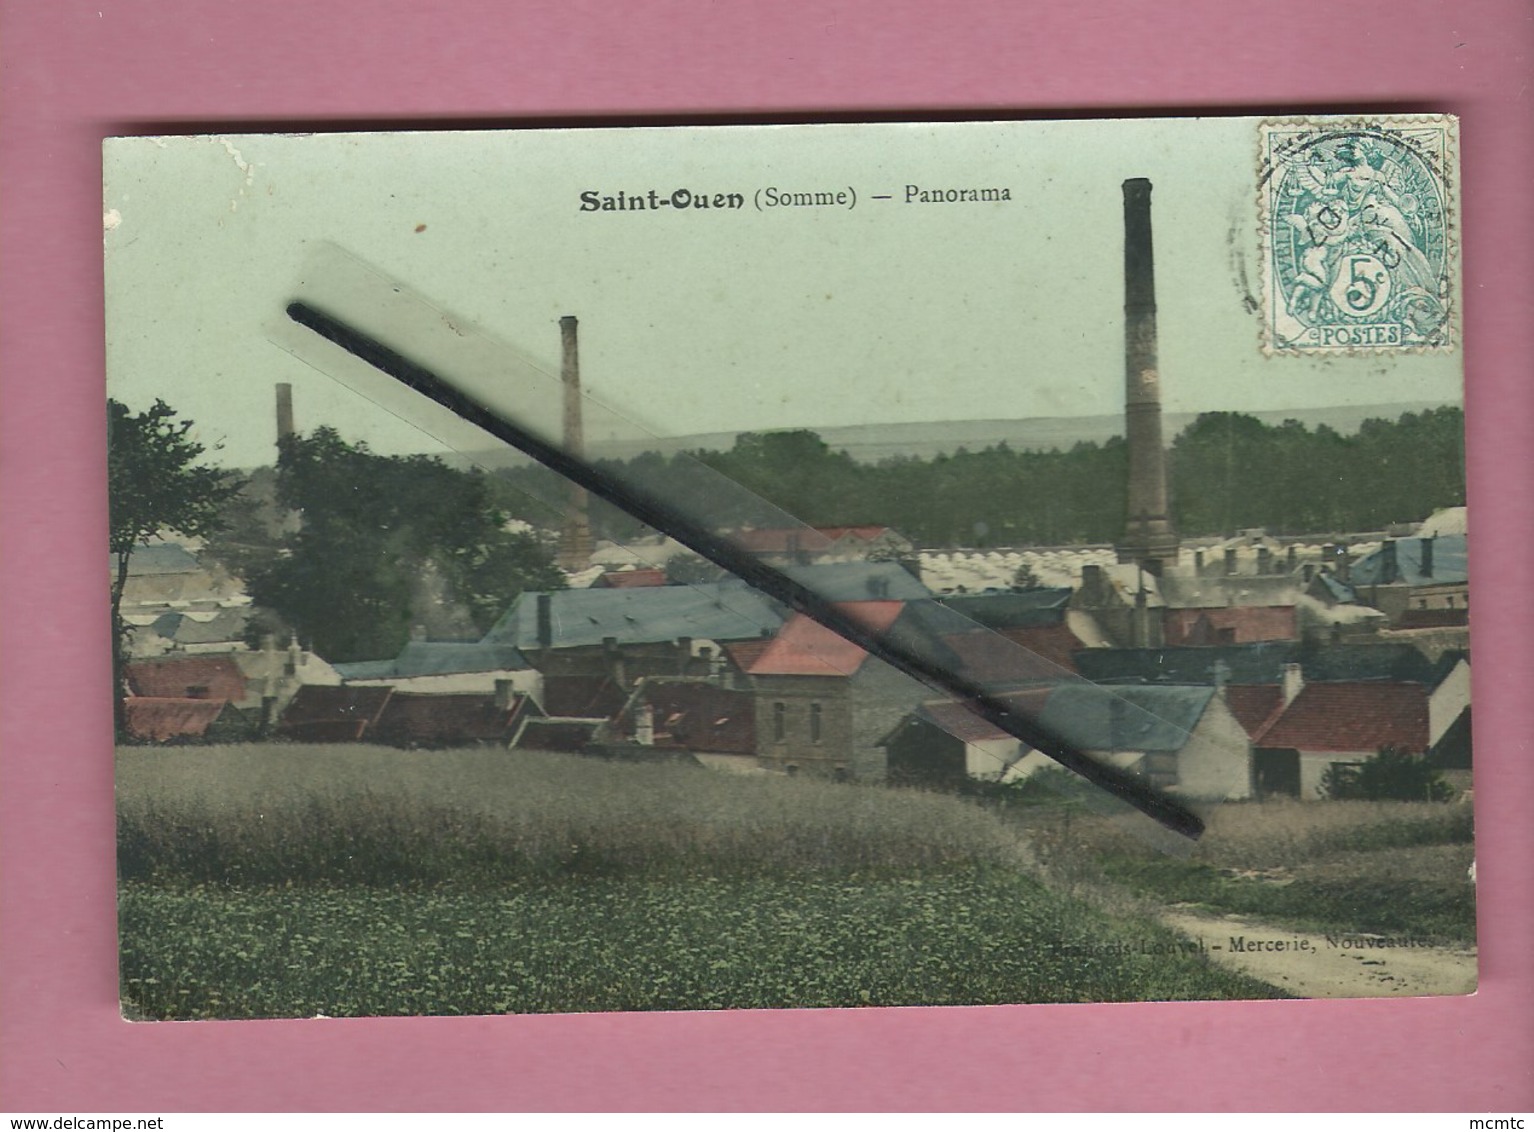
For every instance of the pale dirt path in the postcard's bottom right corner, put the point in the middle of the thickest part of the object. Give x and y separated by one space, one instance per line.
1346 966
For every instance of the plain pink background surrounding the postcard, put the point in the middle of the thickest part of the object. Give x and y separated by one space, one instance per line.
76 71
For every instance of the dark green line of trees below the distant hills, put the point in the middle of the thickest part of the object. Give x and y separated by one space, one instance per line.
1228 472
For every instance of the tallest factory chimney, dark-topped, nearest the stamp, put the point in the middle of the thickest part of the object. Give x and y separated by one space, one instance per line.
1150 539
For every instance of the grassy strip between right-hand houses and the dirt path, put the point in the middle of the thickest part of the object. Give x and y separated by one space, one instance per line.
1371 867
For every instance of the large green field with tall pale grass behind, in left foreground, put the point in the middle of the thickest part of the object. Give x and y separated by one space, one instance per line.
274 881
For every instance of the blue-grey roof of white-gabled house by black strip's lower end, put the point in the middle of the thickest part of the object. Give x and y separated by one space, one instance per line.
1127 717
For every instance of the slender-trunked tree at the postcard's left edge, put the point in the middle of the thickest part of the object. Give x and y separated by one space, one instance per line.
156 487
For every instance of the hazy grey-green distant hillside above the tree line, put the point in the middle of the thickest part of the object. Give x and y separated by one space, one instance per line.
871 444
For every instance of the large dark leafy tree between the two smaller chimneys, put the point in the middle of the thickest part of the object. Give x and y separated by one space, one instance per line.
386 544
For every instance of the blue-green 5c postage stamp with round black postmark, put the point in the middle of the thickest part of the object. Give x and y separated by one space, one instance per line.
1358 234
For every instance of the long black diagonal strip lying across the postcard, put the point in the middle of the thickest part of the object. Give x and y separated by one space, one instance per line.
665 519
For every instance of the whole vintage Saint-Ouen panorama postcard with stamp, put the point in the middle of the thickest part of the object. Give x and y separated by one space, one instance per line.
803 567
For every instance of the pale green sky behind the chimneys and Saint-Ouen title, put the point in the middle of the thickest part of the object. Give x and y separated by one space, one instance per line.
722 320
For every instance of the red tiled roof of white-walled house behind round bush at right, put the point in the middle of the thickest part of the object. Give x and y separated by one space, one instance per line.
1352 717
